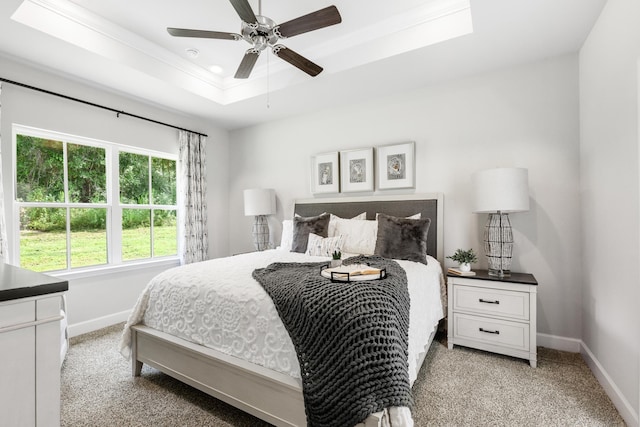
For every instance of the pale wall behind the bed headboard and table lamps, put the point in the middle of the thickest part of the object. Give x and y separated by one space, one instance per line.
524 117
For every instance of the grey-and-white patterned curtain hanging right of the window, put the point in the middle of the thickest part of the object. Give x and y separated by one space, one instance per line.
194 239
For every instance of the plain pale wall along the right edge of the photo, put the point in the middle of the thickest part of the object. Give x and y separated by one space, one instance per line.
610 201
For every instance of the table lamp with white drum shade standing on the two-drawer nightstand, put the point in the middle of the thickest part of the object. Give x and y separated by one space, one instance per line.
499 192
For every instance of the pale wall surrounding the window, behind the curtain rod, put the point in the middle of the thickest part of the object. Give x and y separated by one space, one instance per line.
100 300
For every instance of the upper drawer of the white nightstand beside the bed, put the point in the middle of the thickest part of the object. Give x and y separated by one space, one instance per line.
494 302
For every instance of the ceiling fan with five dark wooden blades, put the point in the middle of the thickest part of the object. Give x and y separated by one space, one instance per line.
262 32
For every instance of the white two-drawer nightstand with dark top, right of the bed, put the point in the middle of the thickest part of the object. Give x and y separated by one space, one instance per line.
494 314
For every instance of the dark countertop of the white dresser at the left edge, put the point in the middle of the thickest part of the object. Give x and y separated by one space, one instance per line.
16 283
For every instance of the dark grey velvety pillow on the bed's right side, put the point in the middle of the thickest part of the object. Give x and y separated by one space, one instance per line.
402 238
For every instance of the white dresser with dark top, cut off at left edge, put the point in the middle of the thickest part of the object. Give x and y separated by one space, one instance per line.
30 347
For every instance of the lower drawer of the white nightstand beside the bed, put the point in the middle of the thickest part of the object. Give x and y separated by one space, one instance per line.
491 331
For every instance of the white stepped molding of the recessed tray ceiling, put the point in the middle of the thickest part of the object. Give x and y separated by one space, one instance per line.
429 23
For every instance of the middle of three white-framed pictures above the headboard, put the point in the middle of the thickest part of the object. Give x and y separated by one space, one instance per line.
357 170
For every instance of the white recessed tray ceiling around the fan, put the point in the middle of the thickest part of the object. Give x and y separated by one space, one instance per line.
380 47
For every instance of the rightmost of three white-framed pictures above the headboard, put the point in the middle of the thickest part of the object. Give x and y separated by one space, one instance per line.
396 166
